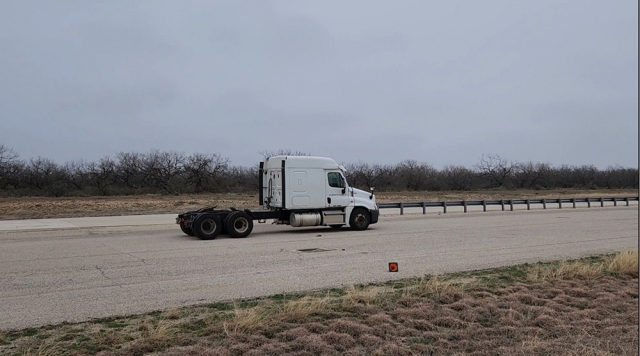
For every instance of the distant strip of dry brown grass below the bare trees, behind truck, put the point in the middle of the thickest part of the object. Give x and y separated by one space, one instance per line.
46 207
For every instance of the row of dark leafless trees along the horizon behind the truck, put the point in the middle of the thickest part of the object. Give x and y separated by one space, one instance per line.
170 172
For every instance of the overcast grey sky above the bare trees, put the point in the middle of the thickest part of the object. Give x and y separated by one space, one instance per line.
441 82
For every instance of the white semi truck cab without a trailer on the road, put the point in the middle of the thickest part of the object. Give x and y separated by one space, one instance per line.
296 191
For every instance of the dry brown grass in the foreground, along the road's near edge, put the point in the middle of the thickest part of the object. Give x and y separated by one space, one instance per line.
585 307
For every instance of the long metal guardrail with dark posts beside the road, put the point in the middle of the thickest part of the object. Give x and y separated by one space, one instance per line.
504 203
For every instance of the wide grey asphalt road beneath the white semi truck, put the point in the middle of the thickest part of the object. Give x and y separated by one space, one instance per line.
75 273
